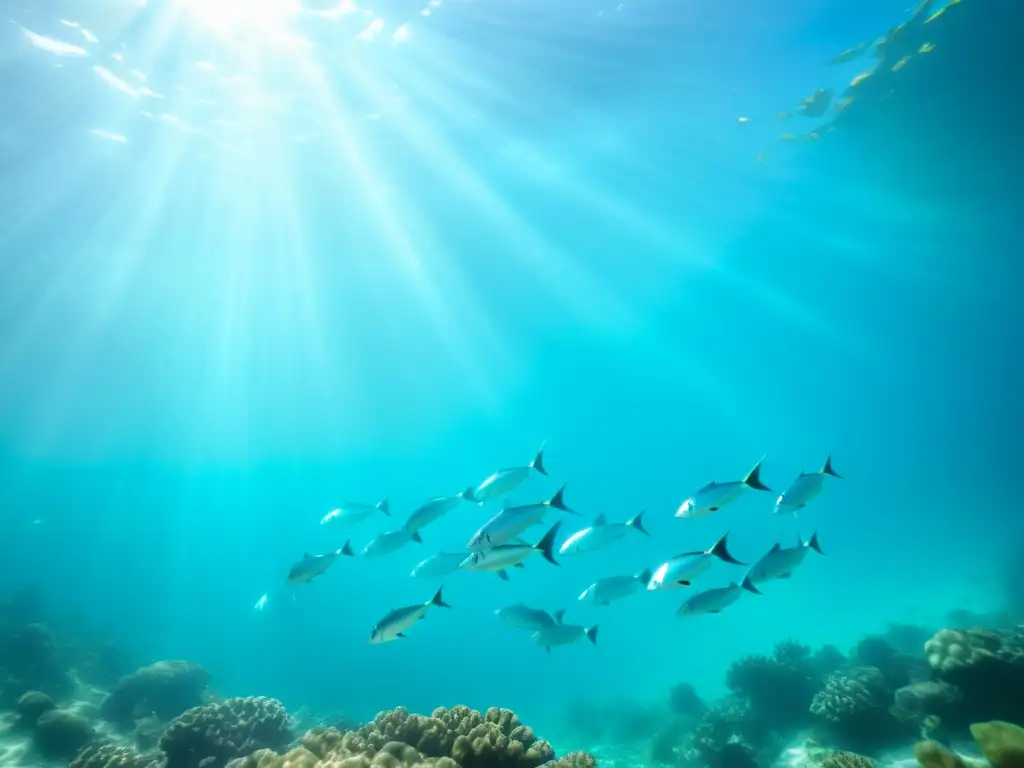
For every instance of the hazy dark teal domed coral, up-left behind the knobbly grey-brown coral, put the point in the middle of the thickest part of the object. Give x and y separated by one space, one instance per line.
165 690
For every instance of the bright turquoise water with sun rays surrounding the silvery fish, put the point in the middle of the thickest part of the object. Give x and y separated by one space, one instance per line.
527 223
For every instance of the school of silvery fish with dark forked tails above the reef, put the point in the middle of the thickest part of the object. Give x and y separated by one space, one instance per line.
499 545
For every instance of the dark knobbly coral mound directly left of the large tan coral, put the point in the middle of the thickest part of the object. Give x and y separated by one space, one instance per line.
212 735
